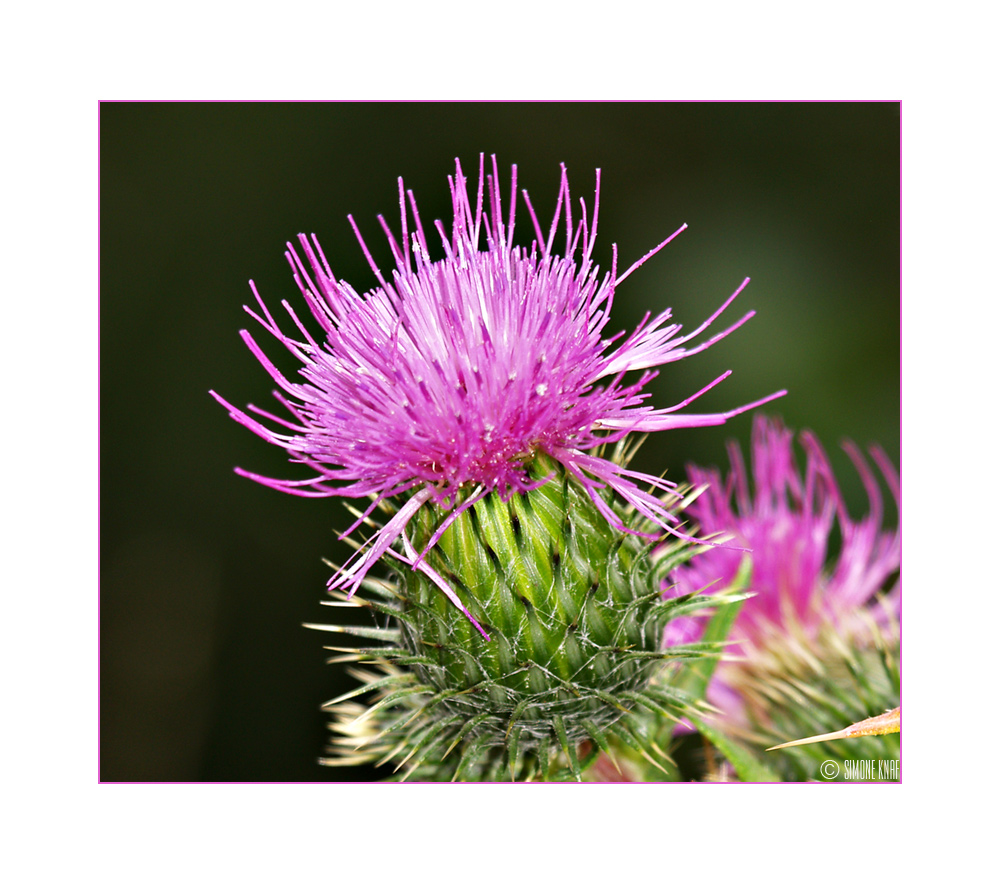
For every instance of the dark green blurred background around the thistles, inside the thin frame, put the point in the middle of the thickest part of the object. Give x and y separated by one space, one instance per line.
206 671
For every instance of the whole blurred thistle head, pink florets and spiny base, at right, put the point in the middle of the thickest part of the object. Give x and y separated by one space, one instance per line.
817 637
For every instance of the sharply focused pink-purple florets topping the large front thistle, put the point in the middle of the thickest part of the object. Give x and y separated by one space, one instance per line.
453 374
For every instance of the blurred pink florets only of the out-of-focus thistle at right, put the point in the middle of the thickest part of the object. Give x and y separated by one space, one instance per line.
788 523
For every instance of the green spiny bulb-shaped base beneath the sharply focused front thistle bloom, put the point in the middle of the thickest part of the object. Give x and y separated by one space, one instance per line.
575 615
